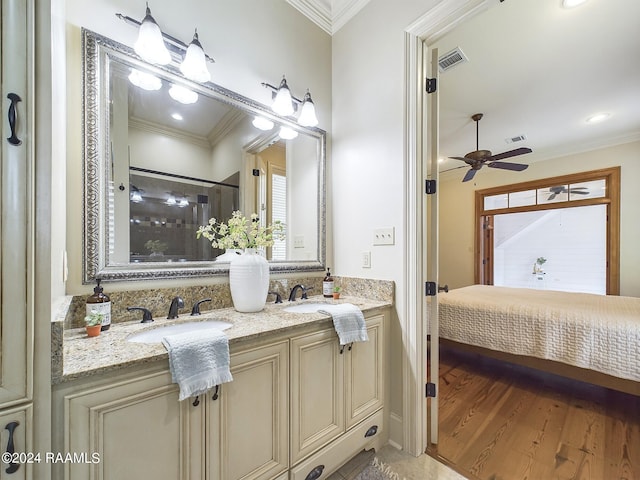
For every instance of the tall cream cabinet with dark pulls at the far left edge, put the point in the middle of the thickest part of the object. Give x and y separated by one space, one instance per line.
16 203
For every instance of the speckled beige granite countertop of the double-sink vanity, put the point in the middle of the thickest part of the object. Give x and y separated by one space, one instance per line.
82 356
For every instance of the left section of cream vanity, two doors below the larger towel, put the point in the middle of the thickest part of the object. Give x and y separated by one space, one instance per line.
137 428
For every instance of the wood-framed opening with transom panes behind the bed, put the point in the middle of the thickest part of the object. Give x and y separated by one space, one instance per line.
559 233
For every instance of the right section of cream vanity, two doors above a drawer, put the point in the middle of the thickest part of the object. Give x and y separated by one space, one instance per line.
337 395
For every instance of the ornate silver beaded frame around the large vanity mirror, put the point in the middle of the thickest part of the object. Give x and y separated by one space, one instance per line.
96 51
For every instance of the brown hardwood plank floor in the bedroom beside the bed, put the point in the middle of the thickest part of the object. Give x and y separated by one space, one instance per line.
503 422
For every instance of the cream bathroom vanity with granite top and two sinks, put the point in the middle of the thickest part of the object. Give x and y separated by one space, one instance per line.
299 405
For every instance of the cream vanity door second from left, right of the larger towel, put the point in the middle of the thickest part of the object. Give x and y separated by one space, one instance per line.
248 423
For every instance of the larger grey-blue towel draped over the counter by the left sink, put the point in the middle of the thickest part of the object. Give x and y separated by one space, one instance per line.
199 360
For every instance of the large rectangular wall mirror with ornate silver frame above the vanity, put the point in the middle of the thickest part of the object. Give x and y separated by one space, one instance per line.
163 155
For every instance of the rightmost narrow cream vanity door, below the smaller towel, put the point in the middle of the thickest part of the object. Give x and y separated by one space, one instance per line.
364 374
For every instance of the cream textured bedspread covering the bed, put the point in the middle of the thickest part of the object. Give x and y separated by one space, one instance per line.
596 332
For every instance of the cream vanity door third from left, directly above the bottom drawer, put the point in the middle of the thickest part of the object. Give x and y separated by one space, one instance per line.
317 392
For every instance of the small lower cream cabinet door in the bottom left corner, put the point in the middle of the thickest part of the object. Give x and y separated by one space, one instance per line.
15 437
